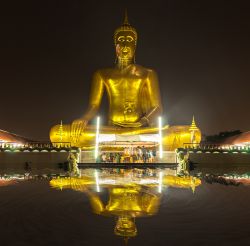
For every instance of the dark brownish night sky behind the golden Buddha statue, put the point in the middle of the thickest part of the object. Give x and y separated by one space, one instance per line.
50 49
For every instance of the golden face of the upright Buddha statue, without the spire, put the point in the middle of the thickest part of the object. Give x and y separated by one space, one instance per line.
125 45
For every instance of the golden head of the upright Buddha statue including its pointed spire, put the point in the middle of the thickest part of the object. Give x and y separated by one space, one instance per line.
125 39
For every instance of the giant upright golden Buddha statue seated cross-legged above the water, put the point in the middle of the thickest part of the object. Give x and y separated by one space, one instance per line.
134 100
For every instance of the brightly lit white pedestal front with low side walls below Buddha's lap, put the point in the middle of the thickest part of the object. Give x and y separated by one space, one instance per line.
130 147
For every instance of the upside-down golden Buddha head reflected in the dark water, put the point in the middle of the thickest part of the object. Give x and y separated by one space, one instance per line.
125 227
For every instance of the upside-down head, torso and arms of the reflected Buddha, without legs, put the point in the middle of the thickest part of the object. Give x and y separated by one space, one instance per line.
126 203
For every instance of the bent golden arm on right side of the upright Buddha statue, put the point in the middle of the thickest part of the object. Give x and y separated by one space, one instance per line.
152 85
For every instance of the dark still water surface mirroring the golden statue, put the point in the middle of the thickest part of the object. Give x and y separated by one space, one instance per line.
215 211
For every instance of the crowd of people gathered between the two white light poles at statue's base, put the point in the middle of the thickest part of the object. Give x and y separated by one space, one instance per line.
128 155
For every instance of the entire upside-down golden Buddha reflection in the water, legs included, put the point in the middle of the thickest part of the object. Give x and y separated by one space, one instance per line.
127 200
